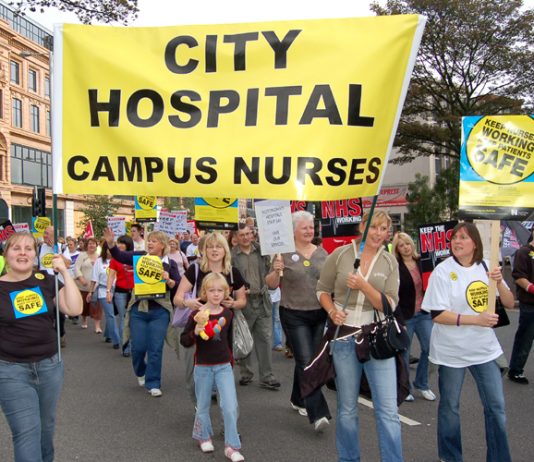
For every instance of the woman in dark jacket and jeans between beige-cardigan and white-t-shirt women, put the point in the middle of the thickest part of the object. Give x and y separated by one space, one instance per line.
409 310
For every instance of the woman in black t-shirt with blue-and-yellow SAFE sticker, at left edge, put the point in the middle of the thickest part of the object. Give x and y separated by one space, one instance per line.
31 373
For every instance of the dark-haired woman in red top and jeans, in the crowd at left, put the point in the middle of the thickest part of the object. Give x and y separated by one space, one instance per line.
120 276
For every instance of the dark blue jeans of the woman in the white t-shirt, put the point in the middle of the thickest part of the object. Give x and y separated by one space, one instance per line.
489 383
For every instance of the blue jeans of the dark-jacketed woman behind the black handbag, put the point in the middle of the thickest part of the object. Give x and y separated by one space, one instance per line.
421 325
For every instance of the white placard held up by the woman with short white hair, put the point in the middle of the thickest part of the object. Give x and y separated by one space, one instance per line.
275 227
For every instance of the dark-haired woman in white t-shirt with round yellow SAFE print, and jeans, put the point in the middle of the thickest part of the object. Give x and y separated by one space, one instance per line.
462 338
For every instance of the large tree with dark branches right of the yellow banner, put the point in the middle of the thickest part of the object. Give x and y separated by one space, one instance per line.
475 58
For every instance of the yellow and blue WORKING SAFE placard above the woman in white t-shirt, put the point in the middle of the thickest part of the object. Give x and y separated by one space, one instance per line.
496 167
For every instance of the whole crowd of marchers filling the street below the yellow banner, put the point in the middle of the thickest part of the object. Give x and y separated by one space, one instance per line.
290 303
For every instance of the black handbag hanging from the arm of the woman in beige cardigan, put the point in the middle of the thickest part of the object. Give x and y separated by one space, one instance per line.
388 337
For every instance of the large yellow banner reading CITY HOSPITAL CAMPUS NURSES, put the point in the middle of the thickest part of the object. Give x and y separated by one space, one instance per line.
284 110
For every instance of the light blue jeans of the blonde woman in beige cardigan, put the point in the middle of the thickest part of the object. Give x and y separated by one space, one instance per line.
382 378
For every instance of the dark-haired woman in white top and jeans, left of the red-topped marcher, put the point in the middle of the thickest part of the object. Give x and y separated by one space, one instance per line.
99 281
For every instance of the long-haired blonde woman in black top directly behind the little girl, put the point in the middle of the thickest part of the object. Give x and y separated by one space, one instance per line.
216 258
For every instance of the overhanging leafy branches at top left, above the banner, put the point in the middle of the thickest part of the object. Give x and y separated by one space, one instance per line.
87 10
